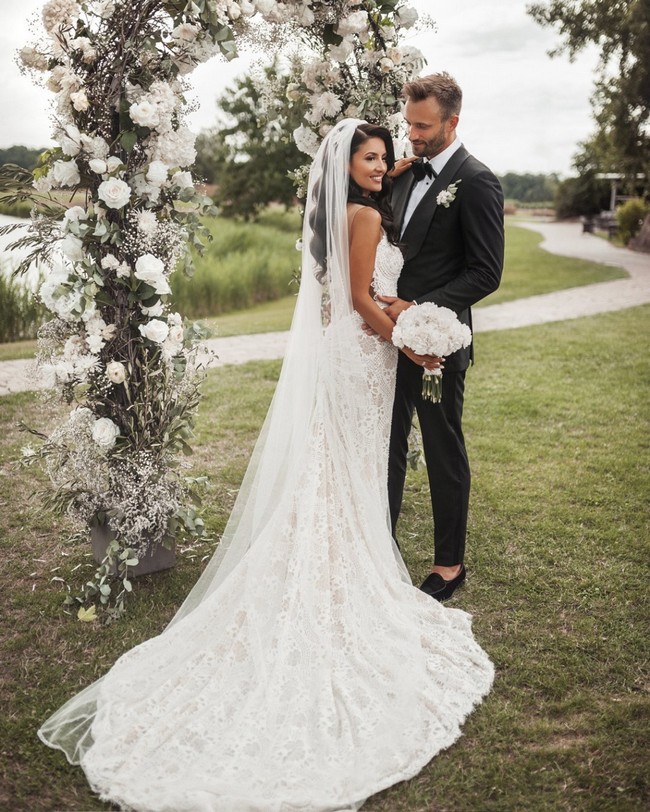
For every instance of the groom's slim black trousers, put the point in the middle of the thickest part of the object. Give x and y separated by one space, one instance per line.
444 450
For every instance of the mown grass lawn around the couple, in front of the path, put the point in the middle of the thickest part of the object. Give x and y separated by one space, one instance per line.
558 573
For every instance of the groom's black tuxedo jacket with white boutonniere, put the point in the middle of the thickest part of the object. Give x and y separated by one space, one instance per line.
454 254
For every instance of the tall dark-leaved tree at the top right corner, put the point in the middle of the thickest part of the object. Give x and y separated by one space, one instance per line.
621 100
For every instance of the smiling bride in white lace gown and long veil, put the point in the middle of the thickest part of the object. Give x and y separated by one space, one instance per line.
304 671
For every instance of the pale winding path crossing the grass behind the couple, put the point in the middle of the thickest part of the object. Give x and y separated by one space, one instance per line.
565 239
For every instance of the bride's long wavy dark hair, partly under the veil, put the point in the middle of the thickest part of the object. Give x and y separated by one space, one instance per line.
380 201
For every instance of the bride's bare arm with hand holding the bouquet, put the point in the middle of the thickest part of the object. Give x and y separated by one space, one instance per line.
365 233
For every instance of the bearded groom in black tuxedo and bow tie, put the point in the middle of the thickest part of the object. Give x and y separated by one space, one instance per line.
449 207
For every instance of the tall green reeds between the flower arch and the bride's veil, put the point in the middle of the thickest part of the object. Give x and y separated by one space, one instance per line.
243 265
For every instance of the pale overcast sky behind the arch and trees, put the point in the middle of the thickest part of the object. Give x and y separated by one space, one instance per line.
522 110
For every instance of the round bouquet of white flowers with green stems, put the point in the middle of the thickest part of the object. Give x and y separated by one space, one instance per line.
431 330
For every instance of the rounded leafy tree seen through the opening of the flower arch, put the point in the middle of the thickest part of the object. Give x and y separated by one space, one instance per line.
249 157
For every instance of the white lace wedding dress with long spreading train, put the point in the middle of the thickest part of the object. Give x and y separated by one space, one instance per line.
314 674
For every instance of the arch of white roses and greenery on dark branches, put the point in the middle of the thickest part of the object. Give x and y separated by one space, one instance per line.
114 349
